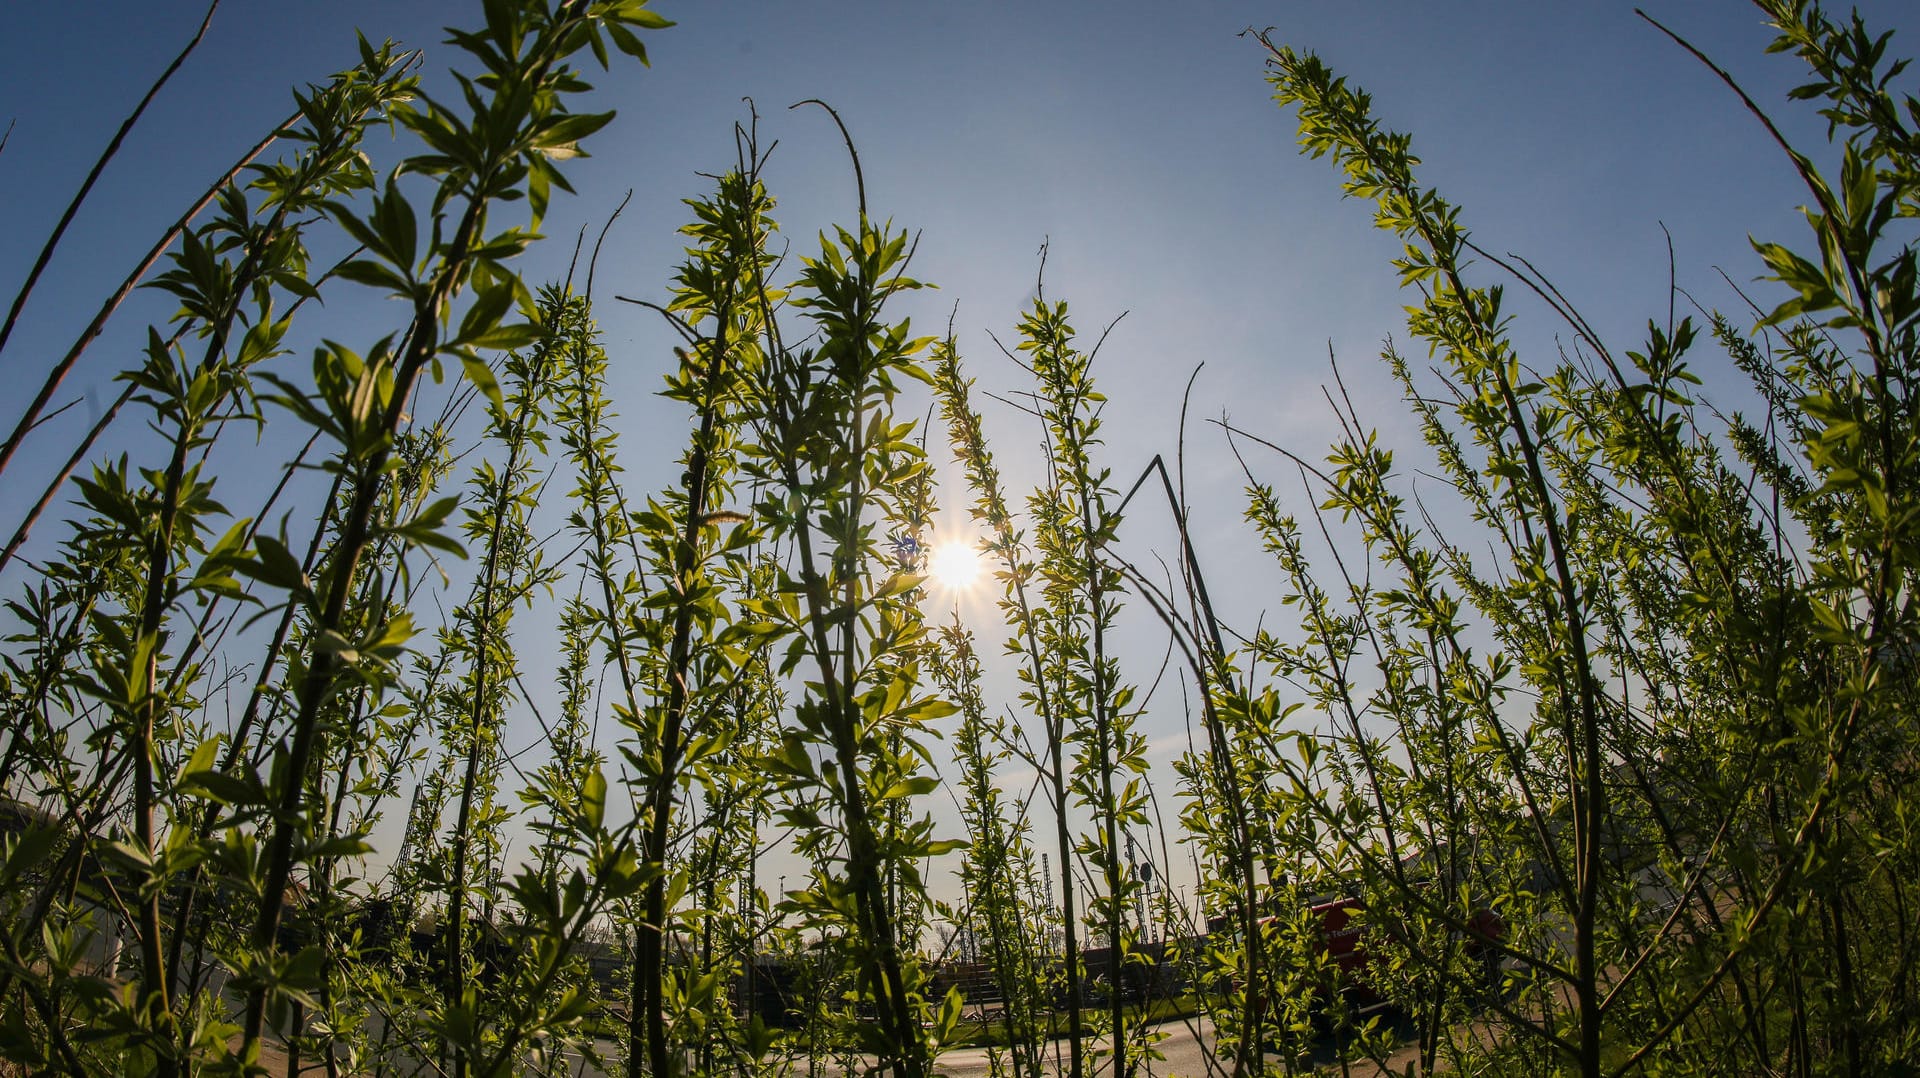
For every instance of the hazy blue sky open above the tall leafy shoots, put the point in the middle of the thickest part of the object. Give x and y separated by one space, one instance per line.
1140 139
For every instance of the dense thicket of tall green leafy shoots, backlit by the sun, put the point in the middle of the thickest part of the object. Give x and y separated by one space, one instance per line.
1614 773
